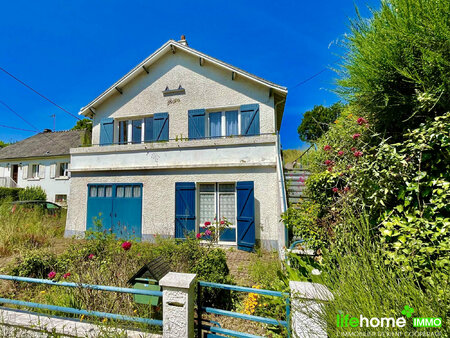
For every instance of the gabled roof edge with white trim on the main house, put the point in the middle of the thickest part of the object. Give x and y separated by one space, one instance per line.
172 45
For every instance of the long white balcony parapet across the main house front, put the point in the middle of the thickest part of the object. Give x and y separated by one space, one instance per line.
259 150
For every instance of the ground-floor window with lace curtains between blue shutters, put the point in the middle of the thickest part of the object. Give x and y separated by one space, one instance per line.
216 202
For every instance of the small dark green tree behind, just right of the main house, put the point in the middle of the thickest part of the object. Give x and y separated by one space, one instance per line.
316 121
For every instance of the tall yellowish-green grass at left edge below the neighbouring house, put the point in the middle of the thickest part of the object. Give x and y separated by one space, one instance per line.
24 228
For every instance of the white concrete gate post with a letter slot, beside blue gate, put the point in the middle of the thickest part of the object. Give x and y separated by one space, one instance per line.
178 304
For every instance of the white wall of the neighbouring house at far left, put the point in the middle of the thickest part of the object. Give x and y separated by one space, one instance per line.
47 178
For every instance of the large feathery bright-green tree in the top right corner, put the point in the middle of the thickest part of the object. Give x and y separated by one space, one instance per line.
397 64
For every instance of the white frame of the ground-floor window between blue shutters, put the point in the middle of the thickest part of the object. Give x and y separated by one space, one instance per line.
217 208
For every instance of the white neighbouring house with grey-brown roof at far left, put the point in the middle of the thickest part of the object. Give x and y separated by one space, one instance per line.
40 160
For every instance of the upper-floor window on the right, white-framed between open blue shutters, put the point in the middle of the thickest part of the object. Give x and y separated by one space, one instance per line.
223 123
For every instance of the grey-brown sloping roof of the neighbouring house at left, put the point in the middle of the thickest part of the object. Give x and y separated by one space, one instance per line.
44 144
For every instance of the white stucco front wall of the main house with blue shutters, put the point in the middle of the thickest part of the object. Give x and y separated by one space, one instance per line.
159 166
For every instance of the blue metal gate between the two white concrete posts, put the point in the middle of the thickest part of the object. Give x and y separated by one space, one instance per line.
219 330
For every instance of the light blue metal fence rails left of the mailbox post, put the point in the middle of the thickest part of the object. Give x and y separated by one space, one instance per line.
80 311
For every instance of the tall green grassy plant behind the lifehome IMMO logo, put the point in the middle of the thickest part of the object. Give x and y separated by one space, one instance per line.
362 284
